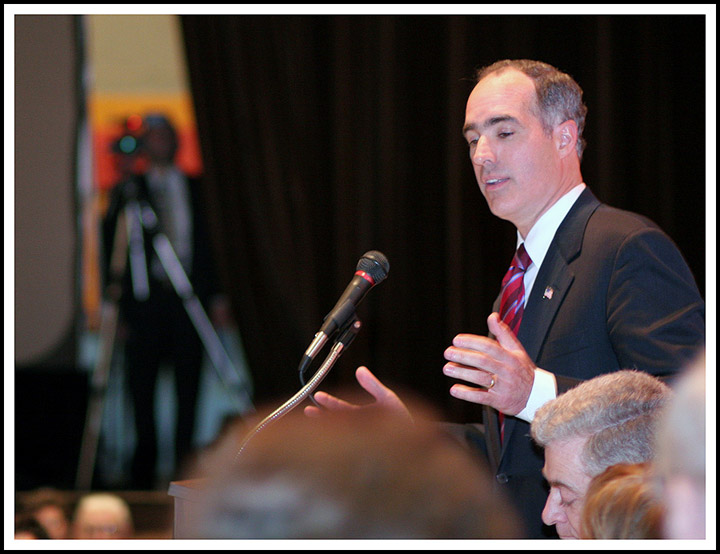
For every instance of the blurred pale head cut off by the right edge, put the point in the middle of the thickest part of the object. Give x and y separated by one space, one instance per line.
681 457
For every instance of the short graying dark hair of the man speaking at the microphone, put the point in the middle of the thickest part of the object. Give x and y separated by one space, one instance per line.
559 97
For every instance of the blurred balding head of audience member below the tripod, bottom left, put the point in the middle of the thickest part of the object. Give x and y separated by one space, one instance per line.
102 516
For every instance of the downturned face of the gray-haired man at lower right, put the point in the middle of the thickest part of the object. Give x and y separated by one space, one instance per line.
568 484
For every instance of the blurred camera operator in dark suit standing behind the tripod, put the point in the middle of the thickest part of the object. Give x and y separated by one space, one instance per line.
153 317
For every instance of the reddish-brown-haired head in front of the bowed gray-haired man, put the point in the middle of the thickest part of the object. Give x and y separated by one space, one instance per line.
621 503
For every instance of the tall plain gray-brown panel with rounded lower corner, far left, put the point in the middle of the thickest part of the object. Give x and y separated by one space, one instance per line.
44 217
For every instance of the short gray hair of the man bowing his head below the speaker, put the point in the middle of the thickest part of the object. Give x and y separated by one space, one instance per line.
618 413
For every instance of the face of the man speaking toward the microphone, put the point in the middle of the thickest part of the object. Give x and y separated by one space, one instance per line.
516 163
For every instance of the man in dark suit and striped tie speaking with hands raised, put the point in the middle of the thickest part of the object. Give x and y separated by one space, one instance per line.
603 289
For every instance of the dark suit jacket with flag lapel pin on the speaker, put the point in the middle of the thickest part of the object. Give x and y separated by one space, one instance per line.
619 296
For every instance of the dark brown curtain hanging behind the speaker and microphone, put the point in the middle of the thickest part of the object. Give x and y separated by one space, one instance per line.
324 137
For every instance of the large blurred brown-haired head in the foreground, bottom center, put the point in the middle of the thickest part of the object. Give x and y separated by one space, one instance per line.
358 474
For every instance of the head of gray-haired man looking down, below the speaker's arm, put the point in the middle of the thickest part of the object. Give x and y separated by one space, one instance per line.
610 419
